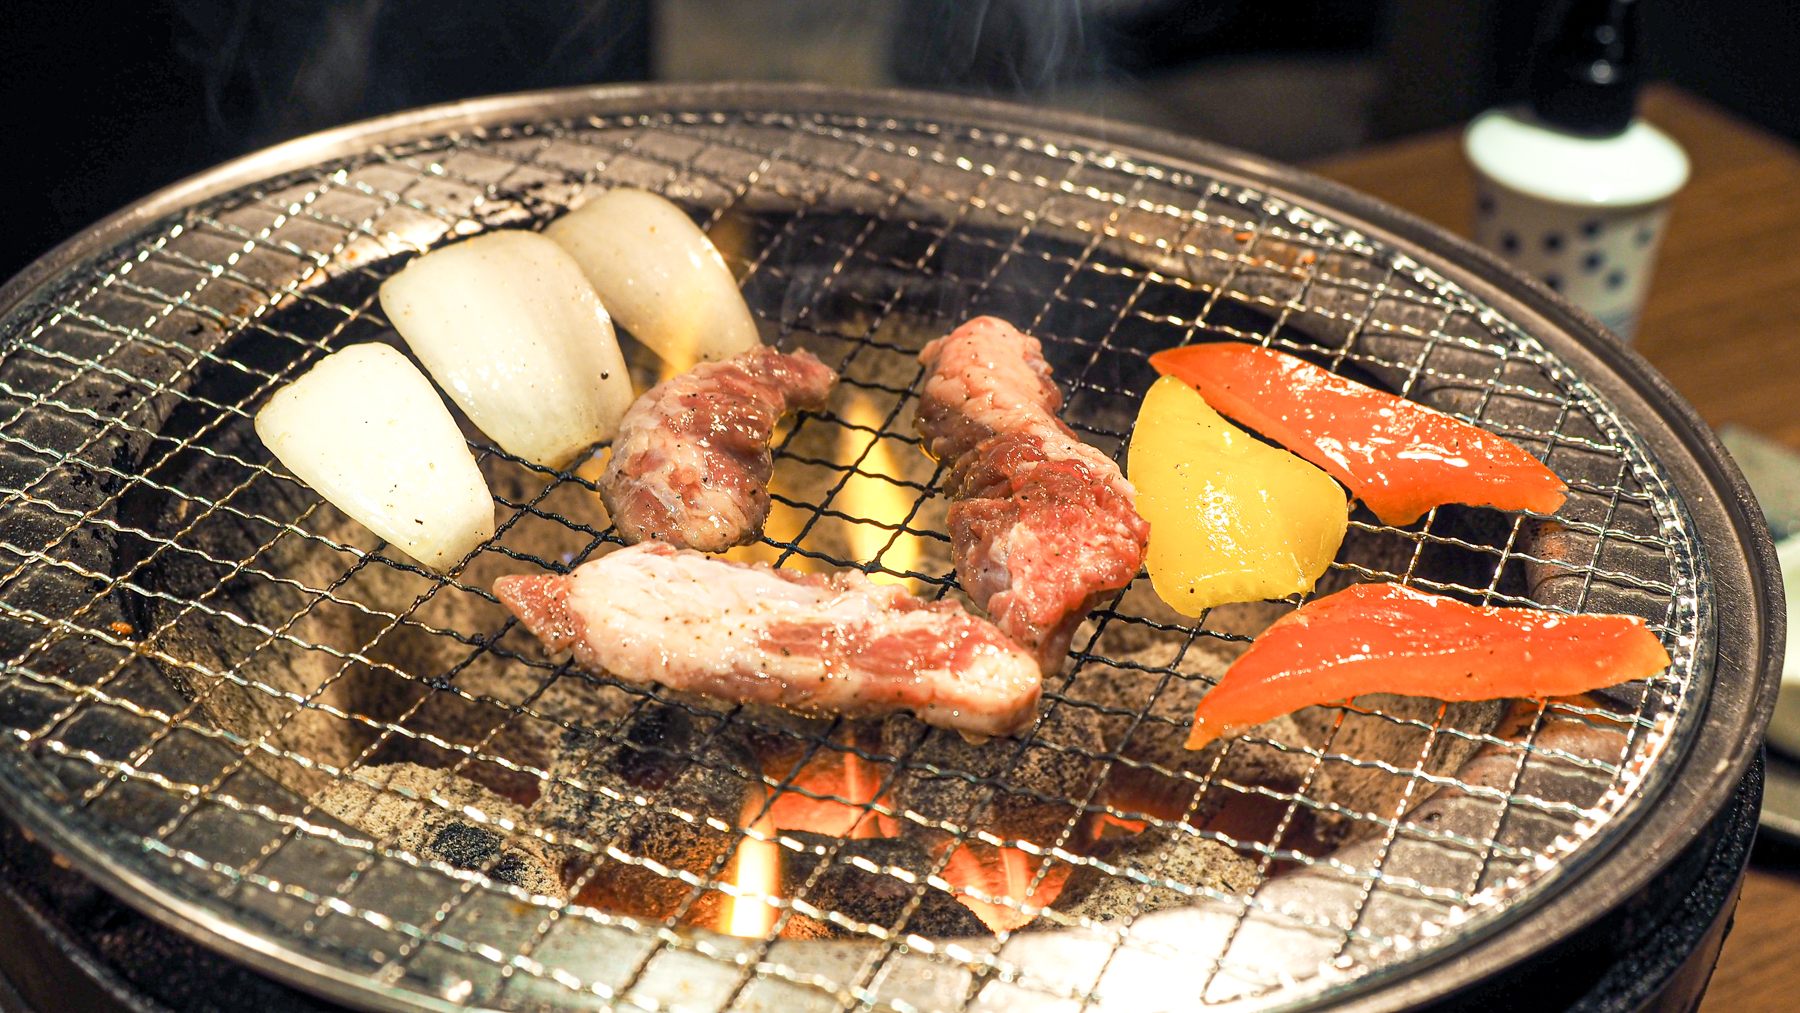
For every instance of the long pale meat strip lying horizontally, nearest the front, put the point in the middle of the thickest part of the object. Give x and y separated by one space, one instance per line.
751 634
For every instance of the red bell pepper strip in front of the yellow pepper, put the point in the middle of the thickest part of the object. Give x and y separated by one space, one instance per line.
1396 640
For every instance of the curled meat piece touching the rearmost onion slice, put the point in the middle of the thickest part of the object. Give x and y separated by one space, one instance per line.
690 465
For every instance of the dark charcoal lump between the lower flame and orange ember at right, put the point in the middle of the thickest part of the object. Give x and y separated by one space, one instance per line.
854 886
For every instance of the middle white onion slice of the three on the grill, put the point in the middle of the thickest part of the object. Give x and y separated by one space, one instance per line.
519 339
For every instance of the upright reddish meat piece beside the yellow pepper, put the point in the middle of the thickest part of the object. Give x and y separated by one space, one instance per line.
1043 526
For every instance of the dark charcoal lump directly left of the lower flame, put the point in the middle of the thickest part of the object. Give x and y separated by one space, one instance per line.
651 791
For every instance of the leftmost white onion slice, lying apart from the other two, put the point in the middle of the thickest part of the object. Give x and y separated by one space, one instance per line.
373 438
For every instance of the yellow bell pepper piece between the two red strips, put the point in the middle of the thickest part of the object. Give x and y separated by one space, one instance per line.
1232 519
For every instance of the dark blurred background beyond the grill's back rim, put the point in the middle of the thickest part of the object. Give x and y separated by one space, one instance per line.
105 103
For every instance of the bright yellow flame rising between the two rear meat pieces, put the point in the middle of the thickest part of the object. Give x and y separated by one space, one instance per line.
874 499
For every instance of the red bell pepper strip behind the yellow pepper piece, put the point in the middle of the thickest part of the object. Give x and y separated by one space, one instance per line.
1396 456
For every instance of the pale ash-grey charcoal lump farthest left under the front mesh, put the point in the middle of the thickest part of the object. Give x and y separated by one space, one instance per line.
395 805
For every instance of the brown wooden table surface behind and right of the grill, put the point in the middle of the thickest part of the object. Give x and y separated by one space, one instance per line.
1723 323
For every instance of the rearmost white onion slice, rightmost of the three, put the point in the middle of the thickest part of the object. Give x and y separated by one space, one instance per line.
660 276
